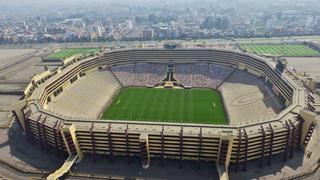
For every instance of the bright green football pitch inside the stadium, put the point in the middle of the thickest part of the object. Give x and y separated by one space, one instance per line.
201 106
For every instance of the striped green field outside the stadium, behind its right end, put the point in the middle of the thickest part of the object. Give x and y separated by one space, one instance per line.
294 50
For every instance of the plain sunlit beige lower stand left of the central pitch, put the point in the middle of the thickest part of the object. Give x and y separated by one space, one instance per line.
87 97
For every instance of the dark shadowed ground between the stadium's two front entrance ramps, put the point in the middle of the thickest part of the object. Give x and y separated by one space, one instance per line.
170 169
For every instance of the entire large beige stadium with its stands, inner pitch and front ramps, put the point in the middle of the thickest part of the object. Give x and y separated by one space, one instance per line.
221 106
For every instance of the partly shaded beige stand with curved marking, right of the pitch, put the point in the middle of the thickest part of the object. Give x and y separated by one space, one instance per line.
243 92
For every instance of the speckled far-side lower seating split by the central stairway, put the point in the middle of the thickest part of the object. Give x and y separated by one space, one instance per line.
195 75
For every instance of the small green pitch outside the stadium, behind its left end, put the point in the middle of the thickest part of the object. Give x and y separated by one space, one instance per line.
66 53
